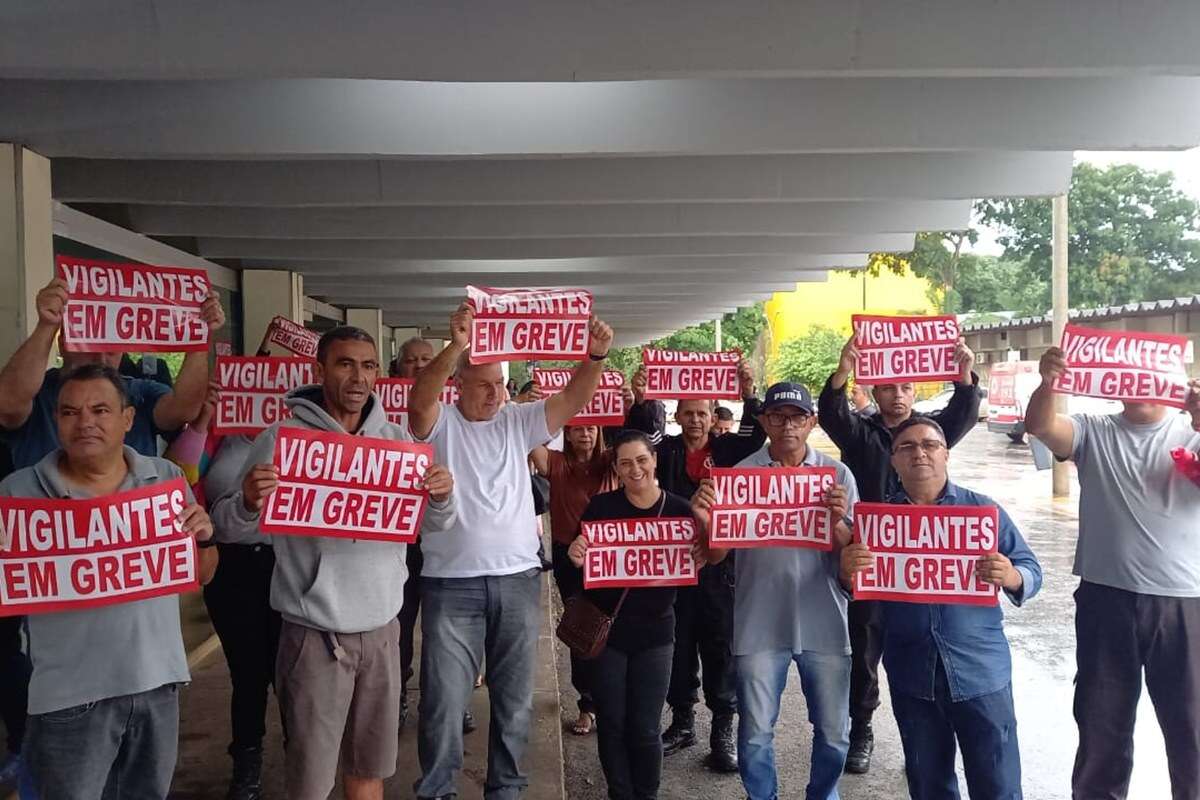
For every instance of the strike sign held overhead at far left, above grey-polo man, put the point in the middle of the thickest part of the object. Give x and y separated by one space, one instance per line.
133 308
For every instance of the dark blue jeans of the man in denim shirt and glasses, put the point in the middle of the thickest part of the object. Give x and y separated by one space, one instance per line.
985 729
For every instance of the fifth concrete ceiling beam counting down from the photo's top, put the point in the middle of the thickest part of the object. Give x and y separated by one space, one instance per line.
555 249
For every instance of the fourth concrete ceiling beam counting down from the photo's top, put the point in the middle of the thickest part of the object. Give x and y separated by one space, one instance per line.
555 221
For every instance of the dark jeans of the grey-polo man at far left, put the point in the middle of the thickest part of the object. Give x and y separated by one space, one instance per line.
117 749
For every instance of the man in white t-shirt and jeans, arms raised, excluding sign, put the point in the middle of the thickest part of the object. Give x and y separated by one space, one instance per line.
482 579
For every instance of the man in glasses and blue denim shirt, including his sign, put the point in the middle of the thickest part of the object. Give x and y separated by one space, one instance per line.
949 664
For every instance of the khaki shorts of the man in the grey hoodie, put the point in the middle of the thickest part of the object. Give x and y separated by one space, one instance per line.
346 706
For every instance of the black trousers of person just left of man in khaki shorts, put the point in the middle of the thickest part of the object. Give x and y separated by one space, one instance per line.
239 601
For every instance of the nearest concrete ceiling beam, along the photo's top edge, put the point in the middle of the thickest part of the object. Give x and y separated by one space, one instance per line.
577 40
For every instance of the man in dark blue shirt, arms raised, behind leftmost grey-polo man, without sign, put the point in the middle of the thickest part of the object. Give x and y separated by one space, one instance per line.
29 393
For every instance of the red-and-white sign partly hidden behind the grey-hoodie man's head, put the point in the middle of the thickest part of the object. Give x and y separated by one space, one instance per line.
253 392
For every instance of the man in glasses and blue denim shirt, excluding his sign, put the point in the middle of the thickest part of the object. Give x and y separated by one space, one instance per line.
950 667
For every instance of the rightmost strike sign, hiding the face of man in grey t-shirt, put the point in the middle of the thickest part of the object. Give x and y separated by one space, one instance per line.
1125 366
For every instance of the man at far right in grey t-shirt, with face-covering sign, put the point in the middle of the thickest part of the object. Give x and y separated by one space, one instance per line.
1138 556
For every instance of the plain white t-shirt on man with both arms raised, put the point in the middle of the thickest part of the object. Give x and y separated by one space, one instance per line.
496 532
